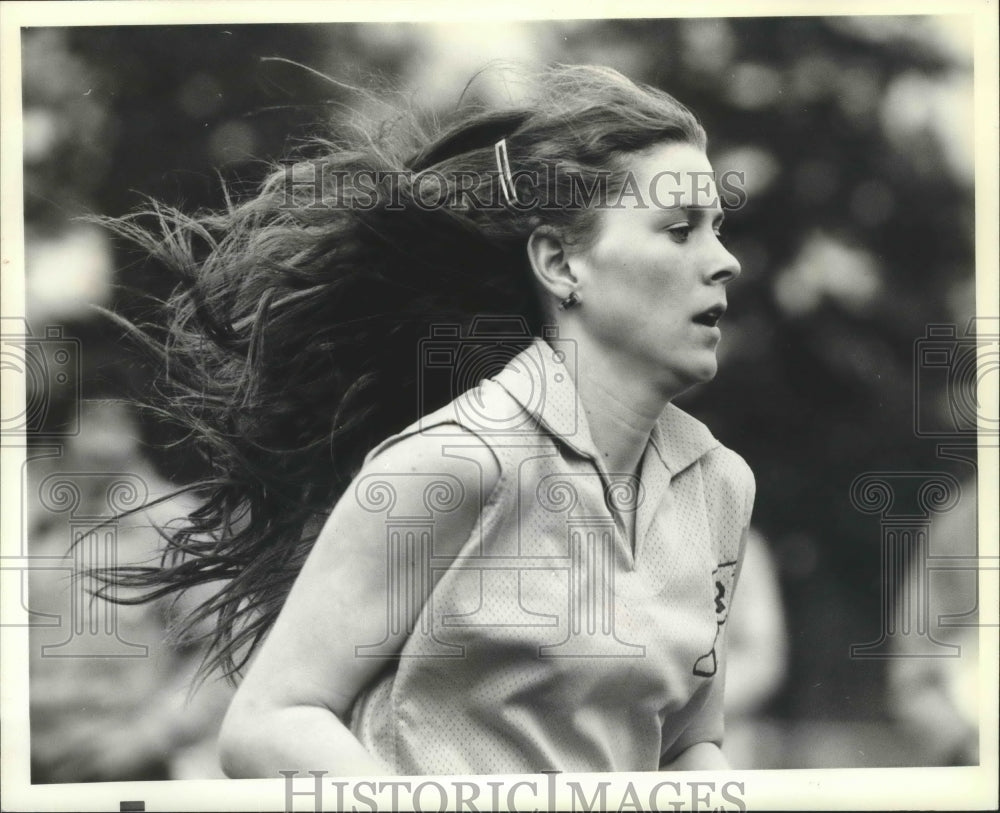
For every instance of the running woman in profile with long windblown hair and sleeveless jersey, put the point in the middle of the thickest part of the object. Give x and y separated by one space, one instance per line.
533 573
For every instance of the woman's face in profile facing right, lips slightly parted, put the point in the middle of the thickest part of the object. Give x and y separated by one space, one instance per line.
653 282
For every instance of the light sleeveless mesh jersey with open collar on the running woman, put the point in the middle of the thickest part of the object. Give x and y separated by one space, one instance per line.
581 627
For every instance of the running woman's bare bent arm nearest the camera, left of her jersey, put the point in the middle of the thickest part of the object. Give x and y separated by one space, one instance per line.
289 713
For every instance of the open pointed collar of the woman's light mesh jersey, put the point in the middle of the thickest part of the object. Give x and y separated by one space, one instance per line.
540 379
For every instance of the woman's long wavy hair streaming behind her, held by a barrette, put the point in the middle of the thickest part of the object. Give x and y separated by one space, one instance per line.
292 336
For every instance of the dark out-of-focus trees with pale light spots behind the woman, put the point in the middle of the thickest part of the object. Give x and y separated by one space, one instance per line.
855 136
